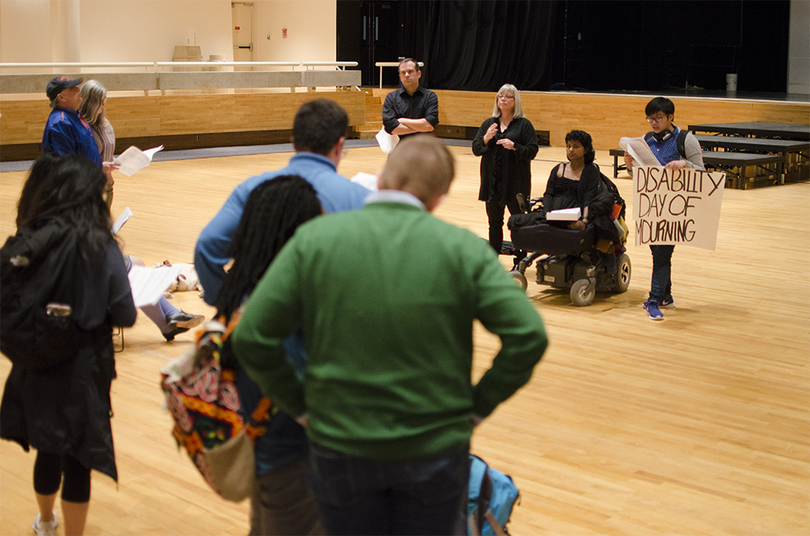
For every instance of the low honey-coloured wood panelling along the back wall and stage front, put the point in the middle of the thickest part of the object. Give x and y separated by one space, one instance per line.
606 117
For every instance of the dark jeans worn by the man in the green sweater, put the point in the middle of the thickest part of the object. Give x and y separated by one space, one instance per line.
362 496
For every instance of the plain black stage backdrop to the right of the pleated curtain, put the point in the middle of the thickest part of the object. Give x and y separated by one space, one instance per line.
621 45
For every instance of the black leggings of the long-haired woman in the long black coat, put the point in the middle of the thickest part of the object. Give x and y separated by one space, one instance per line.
48 470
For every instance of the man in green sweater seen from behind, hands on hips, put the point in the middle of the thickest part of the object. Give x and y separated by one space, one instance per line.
387 297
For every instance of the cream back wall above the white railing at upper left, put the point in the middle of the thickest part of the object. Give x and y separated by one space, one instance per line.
148 30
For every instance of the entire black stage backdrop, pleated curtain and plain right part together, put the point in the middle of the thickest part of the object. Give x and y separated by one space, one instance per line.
596 45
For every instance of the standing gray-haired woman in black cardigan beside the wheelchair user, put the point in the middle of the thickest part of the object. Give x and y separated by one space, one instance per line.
506 143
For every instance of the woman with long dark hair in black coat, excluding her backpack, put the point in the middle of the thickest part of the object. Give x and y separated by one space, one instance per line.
64 411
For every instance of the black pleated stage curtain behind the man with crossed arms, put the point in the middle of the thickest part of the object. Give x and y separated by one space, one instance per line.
479 45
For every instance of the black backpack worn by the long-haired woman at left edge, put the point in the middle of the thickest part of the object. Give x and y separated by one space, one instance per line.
37 280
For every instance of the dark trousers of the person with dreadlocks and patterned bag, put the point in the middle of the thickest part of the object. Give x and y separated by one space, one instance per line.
282 503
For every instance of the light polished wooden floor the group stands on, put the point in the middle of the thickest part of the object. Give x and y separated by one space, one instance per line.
698 425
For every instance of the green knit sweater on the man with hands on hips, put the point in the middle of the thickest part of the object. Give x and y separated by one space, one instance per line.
387 297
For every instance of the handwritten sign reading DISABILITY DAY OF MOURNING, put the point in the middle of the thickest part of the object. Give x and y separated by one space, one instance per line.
677 206
